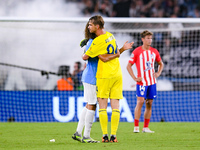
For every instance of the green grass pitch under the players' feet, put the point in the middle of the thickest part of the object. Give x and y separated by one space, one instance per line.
24 136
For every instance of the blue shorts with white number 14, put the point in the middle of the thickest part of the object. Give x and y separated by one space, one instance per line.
148 92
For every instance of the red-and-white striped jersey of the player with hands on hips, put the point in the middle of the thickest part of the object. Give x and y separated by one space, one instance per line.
144 60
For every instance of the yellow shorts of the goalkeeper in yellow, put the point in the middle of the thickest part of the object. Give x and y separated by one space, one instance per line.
110 88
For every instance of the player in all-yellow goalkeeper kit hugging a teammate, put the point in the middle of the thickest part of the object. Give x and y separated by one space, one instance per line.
109 75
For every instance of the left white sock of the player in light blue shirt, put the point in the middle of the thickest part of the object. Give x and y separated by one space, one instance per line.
81 122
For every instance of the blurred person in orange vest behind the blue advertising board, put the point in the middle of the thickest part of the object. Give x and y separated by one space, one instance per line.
65 83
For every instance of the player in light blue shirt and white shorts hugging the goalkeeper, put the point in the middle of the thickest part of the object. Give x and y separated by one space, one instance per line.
89 84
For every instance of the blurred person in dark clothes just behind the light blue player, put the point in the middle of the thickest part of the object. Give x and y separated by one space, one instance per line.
77 74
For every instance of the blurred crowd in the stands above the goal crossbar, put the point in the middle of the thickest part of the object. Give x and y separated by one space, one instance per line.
141 8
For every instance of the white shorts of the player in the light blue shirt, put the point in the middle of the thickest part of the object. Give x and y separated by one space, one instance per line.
90 95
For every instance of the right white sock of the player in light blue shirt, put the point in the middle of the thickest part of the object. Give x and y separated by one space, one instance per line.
88 122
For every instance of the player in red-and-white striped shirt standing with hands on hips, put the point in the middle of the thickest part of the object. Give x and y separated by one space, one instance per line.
144 58
